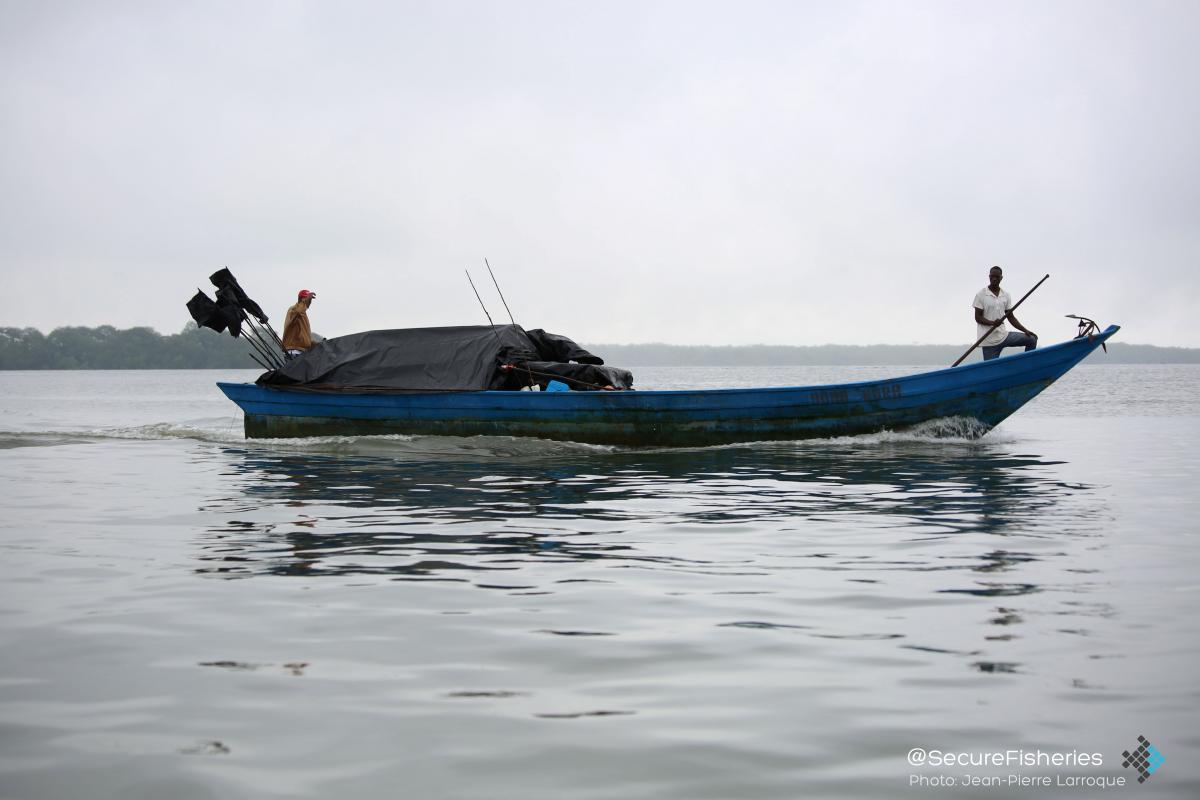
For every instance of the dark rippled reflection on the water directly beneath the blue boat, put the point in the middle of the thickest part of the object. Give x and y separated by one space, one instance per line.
476 510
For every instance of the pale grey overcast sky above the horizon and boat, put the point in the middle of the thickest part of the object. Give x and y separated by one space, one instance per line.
722 173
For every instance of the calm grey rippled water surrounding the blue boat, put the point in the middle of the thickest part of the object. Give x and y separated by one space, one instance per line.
189 615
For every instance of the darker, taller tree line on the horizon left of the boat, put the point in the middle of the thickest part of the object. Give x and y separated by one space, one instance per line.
107 348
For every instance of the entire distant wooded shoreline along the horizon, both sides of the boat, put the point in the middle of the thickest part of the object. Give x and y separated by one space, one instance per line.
195 348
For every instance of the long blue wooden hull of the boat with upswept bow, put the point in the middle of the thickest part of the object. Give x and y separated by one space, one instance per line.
986 392
